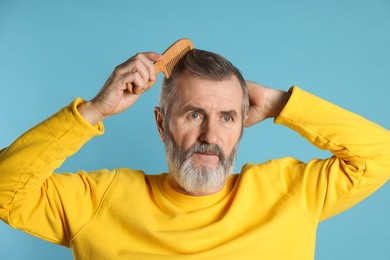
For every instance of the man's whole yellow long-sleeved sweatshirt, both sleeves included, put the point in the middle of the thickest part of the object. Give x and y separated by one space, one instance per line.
268 211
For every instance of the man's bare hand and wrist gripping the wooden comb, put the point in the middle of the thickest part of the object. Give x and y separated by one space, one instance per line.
116 96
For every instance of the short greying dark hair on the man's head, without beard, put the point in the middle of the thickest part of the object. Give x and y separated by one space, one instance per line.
205 65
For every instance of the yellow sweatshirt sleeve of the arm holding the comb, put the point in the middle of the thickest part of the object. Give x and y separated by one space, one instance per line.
32 197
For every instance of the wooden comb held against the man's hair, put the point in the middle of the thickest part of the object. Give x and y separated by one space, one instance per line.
171 57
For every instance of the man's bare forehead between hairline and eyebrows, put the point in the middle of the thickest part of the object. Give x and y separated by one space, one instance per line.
204 93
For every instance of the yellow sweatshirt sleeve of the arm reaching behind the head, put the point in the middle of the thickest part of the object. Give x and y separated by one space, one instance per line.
360 163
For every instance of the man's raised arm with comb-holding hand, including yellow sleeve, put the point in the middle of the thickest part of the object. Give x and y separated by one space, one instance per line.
48 205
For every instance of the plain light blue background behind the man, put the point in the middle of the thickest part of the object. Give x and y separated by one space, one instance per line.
53 51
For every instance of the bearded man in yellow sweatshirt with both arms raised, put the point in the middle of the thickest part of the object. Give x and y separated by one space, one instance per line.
199 210
